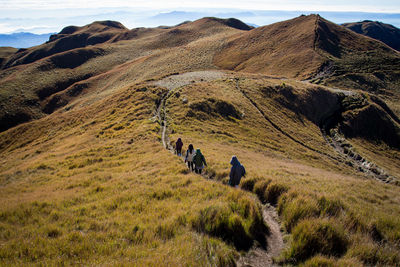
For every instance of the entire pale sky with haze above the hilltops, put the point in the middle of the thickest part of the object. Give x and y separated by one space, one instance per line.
49 16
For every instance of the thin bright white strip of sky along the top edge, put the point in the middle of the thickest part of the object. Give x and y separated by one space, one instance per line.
318 5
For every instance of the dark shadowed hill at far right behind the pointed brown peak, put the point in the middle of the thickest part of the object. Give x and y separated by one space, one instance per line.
383 32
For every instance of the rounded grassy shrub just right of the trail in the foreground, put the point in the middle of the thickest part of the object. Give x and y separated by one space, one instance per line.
315 236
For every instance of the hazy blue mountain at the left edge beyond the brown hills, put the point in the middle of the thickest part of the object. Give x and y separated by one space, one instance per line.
23 39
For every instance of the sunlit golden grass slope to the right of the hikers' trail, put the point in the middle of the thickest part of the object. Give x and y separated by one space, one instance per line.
361 211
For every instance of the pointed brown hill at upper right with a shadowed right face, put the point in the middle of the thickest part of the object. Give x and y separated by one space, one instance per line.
310 47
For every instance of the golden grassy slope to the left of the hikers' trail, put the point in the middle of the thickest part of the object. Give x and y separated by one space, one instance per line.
95 186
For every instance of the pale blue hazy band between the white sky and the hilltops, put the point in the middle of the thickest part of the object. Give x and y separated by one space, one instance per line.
39 21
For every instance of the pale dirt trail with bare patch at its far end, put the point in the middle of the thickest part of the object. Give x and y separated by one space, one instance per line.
257 255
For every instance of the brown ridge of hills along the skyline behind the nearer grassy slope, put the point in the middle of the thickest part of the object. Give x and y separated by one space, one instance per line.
272 49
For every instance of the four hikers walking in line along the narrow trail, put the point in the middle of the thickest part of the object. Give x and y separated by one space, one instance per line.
196 162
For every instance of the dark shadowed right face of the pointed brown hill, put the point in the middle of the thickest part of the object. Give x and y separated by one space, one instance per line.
354 61
